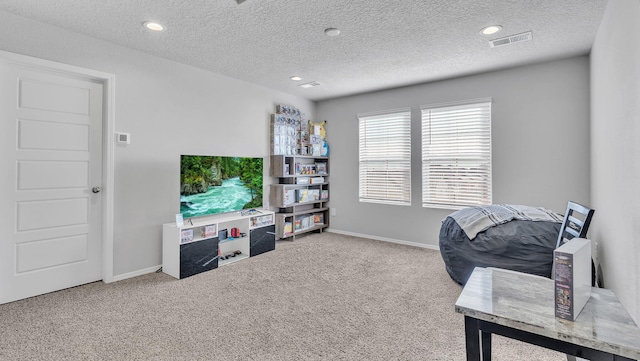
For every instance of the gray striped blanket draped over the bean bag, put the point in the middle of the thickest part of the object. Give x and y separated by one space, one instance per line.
474 220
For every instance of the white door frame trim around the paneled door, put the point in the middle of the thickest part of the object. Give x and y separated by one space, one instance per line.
108 140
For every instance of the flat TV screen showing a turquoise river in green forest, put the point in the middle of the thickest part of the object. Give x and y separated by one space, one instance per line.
212 184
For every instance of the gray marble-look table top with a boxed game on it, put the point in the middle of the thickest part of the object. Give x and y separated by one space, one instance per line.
526 302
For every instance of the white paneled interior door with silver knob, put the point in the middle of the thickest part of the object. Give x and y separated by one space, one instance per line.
51 160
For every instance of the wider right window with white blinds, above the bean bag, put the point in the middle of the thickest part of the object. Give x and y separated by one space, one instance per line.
456 154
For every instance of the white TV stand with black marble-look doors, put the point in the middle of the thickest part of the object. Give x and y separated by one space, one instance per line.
205 243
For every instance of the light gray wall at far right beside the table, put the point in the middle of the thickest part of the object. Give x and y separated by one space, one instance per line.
615 129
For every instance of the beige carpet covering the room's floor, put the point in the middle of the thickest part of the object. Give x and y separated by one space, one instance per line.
322 297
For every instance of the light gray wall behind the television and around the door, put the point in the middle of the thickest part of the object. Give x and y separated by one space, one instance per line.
169 109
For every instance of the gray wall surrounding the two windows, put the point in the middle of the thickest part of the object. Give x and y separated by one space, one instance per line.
540 118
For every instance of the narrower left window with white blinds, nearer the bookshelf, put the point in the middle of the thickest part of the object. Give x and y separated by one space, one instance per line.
385 157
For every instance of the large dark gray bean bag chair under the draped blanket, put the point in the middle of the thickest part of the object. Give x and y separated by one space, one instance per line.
511 241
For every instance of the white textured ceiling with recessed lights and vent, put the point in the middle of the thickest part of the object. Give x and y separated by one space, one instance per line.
382 44
